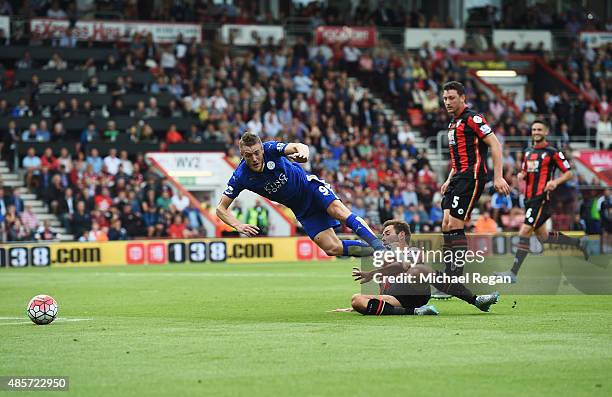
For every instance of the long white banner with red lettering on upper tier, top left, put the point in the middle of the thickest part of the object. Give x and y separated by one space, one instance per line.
114 30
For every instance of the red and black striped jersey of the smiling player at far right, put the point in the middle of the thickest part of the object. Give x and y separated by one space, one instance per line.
539 165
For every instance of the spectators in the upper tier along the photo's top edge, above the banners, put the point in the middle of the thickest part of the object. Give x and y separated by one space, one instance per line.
533 15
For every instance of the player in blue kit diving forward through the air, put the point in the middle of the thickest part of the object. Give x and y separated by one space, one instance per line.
270 169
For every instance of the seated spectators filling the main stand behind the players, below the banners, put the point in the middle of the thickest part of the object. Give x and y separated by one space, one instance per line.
282 92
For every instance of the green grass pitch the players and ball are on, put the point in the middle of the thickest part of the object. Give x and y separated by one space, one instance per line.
267 330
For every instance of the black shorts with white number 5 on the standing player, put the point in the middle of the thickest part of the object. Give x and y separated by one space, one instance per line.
461 197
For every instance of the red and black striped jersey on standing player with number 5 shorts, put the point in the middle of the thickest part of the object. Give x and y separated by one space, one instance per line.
465 142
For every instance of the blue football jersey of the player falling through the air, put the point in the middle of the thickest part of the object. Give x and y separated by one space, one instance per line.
281 180
